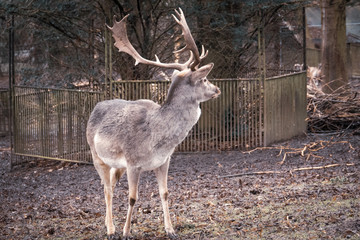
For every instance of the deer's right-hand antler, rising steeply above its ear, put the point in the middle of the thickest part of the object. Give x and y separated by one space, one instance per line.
189 40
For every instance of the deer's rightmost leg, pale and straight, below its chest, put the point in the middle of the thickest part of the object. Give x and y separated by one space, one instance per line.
162 175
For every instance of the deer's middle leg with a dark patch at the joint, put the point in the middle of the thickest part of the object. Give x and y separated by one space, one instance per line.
133 176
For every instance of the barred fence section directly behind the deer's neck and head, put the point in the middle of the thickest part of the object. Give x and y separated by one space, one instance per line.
231 121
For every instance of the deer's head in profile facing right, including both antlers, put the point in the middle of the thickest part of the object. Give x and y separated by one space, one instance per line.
188 78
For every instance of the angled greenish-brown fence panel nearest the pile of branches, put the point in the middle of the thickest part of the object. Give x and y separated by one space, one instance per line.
284 107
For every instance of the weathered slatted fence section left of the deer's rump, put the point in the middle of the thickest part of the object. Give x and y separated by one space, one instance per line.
51 123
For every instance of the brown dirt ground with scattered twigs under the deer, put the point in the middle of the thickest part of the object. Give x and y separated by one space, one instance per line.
305 188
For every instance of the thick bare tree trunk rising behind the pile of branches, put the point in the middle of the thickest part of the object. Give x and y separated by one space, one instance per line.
333 45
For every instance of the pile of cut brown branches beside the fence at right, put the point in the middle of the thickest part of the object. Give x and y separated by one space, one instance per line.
333 112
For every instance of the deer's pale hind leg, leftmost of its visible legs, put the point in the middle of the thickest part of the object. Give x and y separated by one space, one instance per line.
109 177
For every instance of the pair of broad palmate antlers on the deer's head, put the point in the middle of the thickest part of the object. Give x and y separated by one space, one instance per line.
123 44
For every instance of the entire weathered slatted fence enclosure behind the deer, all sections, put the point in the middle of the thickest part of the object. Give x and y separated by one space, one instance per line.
51 123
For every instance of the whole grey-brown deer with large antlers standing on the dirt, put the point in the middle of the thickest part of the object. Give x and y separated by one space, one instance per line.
140 136
